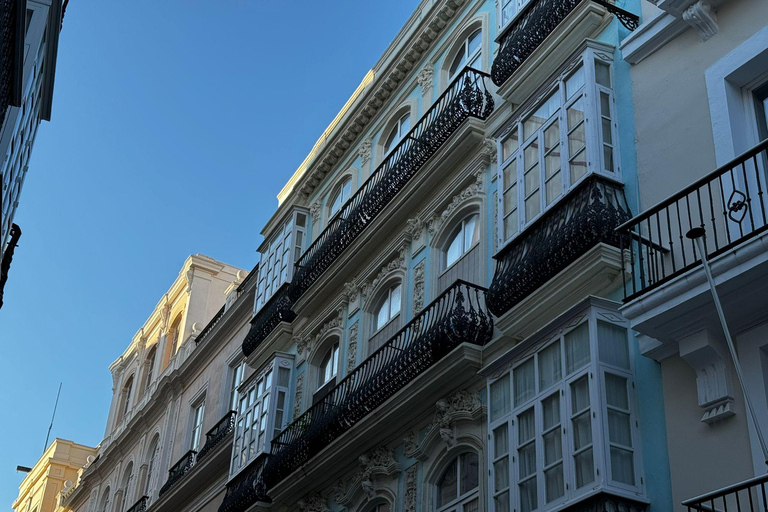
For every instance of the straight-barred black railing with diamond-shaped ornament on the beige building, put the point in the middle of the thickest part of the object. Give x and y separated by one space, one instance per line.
728 203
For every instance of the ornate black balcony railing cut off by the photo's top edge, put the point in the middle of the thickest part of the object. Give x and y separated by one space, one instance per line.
536 21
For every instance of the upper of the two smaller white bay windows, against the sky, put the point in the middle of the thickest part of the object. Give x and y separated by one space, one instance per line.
279 255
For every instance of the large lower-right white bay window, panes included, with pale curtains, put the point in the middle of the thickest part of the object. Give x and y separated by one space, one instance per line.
562 418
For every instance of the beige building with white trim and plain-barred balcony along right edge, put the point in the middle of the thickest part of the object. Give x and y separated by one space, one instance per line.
700 79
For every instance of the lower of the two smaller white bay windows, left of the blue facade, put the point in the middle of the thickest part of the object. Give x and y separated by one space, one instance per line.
261 413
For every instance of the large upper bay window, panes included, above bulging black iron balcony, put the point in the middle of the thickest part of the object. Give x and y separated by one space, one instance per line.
547 150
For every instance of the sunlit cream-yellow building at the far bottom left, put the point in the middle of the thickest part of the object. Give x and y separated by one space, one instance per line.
55 473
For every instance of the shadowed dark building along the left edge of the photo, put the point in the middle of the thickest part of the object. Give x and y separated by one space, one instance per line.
30 38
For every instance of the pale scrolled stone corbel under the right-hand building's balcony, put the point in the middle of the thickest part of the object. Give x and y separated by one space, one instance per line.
707 355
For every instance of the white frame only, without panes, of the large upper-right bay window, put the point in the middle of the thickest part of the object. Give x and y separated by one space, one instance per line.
589 93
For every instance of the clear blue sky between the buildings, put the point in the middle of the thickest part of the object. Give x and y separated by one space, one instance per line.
175 123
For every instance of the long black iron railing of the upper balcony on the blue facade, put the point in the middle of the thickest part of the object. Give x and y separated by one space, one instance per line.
466 97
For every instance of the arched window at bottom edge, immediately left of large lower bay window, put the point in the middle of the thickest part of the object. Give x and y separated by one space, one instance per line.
457 488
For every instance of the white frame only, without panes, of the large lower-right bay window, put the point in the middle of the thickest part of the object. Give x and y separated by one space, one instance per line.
595 371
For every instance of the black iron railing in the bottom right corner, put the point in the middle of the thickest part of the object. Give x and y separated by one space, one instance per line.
748 496
